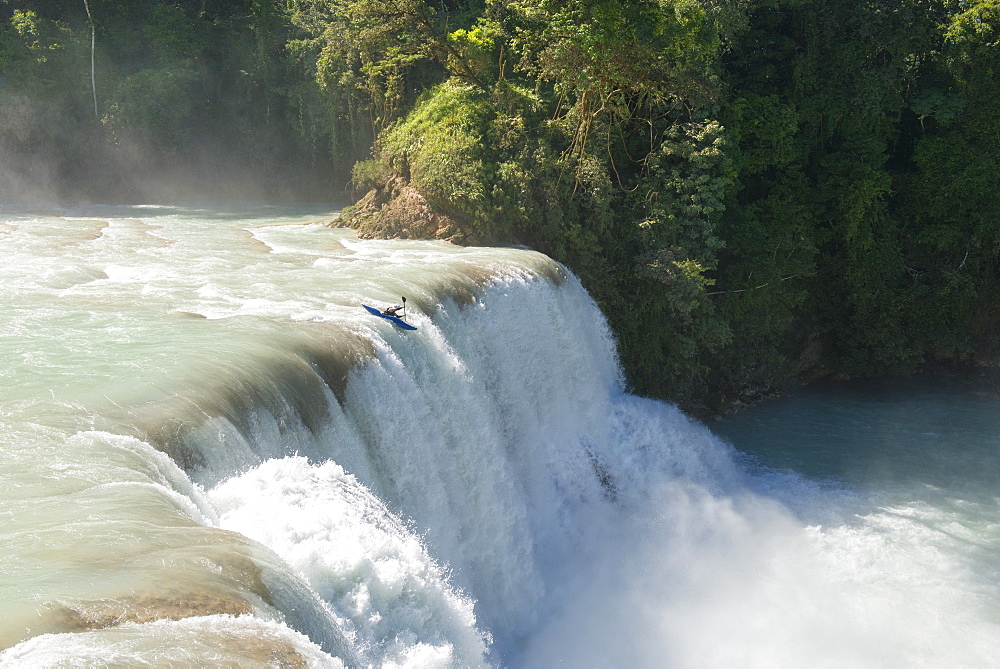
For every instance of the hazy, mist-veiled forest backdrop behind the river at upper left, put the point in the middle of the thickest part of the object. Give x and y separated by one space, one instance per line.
189 104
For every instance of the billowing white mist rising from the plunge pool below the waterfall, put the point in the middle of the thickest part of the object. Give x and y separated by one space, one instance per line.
701 579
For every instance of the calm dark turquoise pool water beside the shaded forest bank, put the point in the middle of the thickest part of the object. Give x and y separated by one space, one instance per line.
903 435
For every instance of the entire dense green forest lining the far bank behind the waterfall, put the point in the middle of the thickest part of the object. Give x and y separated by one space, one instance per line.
752 189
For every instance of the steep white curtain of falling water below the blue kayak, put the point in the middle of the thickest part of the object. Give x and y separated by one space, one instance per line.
500 434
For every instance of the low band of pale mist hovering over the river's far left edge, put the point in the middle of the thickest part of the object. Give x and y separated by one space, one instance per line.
49 157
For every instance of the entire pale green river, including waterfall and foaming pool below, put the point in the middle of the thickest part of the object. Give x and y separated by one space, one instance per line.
211 455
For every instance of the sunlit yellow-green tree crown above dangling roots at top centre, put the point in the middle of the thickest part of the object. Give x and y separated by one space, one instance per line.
610 61
